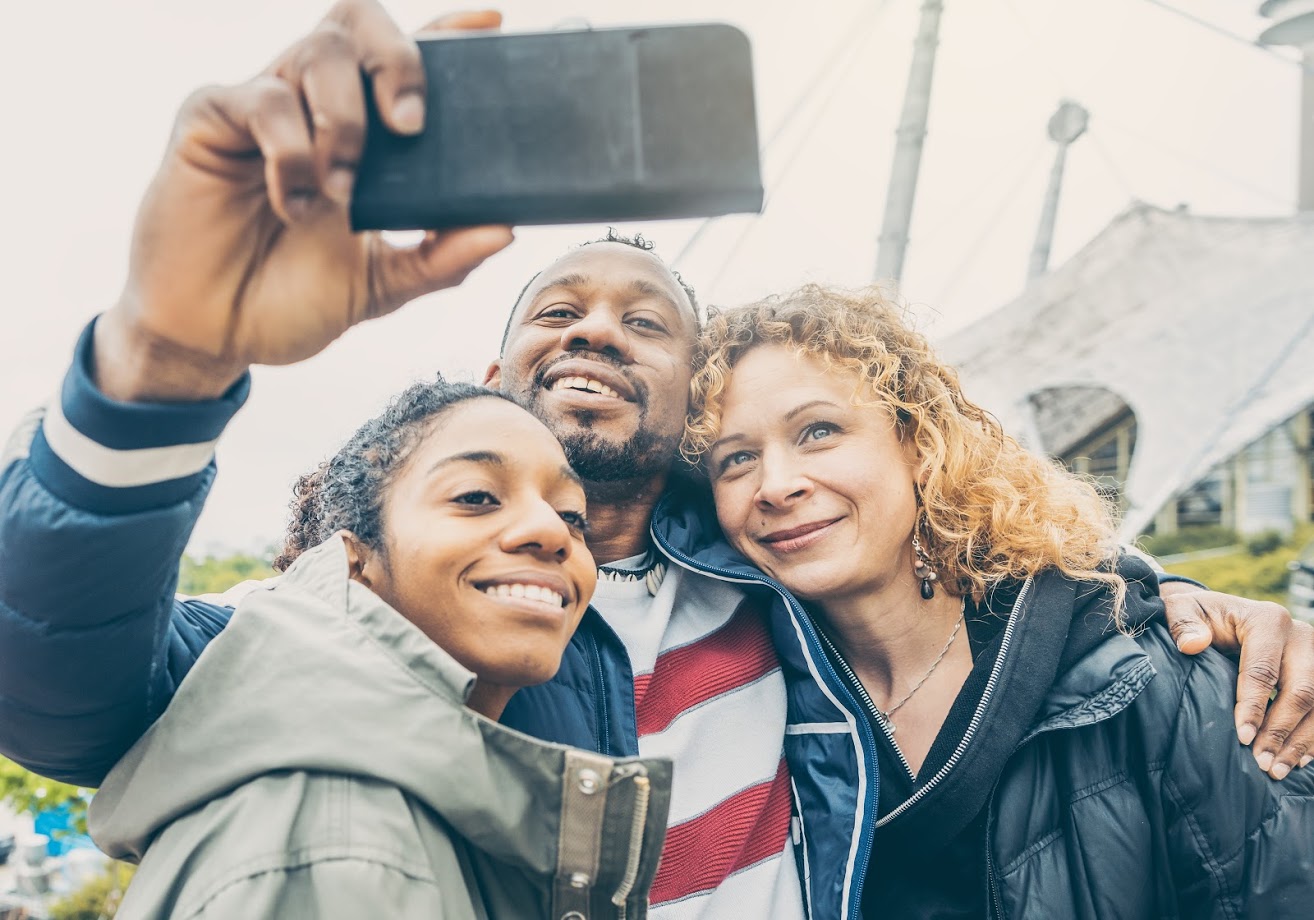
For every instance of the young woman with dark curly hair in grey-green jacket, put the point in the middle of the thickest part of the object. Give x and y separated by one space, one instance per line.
336 752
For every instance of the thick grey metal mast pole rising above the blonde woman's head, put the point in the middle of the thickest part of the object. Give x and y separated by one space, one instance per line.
911 135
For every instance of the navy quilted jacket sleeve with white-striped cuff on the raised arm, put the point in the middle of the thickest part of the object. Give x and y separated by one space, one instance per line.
98 501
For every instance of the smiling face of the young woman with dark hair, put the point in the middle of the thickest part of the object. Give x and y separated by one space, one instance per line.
484 543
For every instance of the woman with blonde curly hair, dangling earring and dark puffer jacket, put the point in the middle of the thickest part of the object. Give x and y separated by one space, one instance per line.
1041 747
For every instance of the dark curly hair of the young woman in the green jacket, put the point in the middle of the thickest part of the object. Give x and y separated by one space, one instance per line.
348 491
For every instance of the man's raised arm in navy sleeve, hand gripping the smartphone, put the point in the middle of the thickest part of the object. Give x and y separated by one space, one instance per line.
242 254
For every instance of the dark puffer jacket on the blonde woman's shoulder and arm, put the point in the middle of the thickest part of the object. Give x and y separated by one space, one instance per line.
1131 796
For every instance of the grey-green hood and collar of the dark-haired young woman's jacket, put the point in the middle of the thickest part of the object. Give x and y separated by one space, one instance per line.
317 674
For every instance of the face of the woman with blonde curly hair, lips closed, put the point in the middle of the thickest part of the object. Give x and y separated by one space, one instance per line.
813 490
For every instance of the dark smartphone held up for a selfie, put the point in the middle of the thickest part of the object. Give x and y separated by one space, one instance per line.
571 127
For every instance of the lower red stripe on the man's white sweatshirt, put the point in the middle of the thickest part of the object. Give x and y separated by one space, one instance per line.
742 831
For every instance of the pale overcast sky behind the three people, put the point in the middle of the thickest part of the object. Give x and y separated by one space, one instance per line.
1179 115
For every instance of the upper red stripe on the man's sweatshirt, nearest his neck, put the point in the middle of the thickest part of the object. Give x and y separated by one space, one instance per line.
734 656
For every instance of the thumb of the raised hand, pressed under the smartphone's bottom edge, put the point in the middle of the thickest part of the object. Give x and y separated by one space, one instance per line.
441 261
